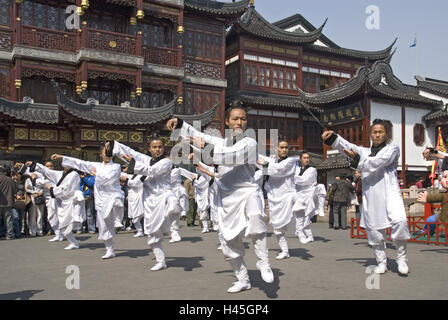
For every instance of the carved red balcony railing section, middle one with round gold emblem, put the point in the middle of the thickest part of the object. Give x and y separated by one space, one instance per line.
111 41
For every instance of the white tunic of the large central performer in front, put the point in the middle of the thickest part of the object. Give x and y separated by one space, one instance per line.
234 179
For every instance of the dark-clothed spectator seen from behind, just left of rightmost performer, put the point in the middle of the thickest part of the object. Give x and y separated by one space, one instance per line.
342 196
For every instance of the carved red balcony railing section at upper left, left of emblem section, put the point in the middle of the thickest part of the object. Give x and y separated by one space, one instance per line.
49 39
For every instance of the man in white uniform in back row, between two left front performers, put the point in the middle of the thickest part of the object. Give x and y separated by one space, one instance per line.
135 200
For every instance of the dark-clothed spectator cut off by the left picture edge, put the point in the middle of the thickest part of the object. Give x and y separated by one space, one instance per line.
6 201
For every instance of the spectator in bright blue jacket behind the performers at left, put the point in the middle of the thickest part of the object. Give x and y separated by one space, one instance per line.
86 186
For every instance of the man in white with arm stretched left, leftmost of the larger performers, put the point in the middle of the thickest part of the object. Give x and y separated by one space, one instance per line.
107 192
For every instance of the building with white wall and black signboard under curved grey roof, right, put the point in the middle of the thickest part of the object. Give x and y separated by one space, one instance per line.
375 92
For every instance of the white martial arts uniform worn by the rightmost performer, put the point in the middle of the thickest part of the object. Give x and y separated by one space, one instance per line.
382 201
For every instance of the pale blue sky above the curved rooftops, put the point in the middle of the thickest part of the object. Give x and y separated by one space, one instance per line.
398 18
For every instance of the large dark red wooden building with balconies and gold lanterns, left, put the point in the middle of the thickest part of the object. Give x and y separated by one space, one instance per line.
122 68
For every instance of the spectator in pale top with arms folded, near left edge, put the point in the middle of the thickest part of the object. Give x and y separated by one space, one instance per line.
36 209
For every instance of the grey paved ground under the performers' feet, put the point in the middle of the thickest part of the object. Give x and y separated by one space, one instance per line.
333 267
